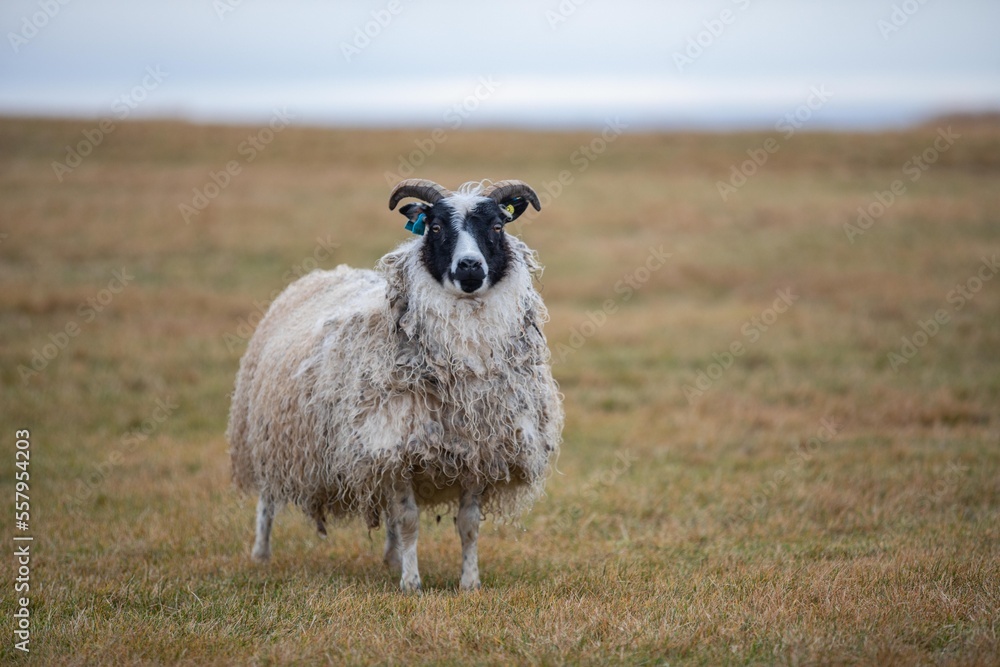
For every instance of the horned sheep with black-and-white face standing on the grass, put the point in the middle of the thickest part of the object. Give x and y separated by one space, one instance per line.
425 383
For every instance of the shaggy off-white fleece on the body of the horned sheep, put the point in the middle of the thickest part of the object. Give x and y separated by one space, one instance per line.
355 378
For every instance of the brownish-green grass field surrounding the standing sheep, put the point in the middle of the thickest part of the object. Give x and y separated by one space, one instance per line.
757 468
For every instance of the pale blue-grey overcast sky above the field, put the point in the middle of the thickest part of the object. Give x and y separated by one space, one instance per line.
551 63
